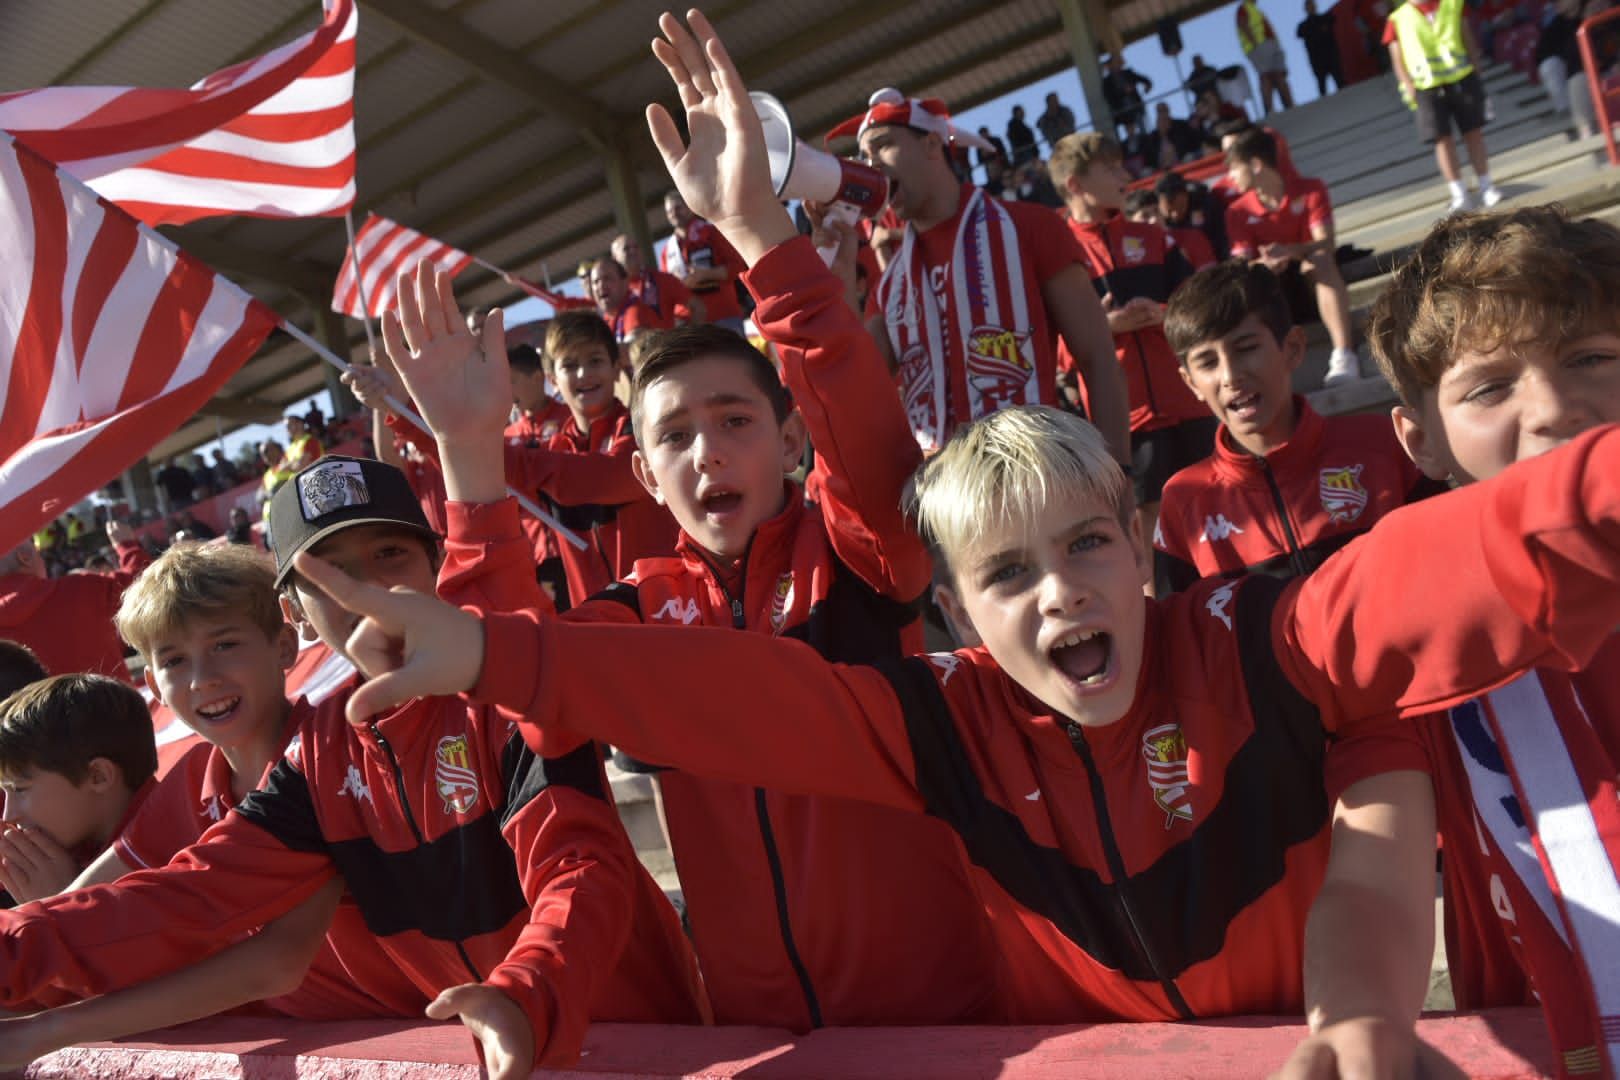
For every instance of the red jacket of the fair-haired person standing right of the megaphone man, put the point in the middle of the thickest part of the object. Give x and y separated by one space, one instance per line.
1128 260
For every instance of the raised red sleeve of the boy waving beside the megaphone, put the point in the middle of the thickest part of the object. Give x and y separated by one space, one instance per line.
864 446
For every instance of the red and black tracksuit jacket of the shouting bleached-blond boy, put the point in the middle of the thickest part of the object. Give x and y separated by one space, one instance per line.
1161 867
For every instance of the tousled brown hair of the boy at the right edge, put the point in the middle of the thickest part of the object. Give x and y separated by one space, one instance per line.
1490 281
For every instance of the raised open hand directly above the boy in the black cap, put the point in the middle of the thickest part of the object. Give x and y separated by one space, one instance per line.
461 383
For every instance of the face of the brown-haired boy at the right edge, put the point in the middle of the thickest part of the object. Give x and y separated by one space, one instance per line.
1491 410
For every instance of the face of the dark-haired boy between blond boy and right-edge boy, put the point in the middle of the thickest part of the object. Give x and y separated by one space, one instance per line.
1247 381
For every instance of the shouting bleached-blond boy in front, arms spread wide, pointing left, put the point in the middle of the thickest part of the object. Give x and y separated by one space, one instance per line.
1138 783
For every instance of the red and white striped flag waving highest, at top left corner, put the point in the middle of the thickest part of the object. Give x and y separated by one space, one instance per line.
268 138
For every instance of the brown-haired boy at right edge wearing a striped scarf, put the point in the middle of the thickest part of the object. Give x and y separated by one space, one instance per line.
1503 342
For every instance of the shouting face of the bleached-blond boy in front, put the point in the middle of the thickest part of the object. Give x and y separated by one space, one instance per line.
1059 603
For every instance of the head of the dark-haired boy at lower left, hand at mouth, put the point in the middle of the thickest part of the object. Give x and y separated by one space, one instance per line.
77 762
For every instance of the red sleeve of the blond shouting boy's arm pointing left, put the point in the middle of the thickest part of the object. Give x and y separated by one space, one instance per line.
782 718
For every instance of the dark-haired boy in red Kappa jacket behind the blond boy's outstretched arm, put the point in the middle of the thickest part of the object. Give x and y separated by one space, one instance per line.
1285 487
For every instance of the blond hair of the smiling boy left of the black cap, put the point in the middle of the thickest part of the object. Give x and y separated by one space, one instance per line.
197 580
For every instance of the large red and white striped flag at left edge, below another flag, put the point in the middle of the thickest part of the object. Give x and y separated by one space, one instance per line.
111 339
